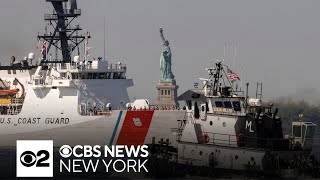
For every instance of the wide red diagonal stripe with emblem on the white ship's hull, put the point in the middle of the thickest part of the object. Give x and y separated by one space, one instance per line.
131 133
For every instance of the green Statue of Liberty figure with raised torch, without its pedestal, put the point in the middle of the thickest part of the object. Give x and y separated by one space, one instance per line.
165 61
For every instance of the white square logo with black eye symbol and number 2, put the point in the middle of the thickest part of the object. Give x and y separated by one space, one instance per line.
34 158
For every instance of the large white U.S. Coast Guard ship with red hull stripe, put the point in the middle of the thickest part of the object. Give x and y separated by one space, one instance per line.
73 99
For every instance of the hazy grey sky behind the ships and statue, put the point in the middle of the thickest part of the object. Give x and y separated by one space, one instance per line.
278 42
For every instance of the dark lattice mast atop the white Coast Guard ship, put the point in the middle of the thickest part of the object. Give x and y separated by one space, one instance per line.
64 36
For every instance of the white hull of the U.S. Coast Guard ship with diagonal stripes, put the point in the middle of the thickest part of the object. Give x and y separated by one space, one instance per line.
98 130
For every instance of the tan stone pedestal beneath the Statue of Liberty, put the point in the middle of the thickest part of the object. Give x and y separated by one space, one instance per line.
167 94
